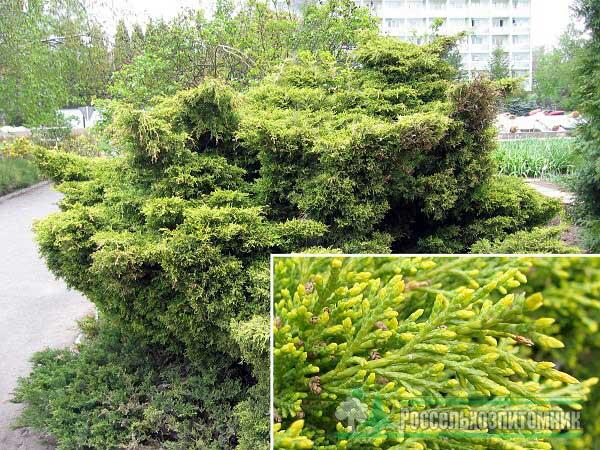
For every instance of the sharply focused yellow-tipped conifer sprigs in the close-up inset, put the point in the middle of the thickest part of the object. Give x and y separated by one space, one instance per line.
389 334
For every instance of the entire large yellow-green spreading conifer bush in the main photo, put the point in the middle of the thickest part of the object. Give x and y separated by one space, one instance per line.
171 239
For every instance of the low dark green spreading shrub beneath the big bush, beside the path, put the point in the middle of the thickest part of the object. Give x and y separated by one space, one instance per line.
114 392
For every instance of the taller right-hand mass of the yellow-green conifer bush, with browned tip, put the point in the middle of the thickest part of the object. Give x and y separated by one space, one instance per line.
385 150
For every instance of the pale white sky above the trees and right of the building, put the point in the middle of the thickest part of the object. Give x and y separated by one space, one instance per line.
549 17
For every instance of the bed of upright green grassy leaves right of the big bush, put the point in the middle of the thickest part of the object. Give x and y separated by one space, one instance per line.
537 158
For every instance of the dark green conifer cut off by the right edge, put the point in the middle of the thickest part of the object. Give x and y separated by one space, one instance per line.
588 94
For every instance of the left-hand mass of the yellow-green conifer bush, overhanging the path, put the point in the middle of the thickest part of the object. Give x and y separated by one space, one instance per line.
170 246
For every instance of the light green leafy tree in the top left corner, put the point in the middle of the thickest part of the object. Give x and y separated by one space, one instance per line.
51 55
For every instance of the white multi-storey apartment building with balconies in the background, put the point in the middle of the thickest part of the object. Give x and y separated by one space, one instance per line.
489 24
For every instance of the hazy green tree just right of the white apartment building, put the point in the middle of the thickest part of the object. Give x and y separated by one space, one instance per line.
555 77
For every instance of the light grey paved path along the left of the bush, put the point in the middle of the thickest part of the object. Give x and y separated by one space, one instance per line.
36 310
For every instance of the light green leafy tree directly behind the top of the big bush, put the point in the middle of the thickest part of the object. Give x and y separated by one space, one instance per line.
238 44
